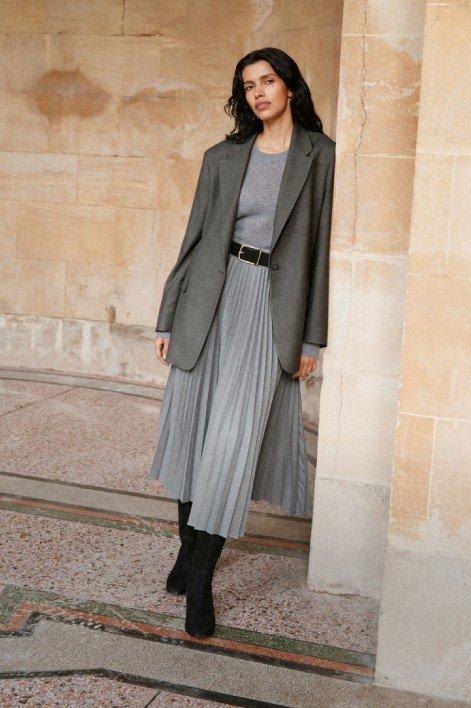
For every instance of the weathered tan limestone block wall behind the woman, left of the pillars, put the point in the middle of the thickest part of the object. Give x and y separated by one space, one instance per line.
106 107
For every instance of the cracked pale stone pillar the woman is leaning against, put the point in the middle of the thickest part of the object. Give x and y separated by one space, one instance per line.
376 133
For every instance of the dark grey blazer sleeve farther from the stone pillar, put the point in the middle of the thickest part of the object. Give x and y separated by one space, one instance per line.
171 291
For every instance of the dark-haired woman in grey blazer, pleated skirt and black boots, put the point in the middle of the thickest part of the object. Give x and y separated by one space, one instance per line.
242 317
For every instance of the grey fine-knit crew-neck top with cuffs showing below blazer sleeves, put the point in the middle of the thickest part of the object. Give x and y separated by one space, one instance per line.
256 208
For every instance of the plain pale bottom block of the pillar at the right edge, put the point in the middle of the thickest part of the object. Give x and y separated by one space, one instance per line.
425 625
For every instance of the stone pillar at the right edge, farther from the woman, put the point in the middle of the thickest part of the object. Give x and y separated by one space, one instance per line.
425 622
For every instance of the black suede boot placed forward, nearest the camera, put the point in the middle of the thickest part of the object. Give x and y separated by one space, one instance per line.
200 620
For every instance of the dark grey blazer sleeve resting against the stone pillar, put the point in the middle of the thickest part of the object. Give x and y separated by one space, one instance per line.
315 327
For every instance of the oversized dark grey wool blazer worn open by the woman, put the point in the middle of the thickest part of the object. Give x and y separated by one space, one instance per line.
299 252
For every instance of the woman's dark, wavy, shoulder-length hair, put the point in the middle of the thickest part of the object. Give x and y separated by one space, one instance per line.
302 107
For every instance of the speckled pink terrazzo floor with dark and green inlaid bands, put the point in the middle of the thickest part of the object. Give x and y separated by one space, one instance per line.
86 542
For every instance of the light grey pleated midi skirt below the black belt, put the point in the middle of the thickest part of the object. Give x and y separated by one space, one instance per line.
230 429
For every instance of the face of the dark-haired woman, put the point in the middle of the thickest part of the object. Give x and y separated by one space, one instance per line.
266 93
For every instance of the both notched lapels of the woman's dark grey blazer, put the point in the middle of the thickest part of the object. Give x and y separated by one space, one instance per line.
231 177
